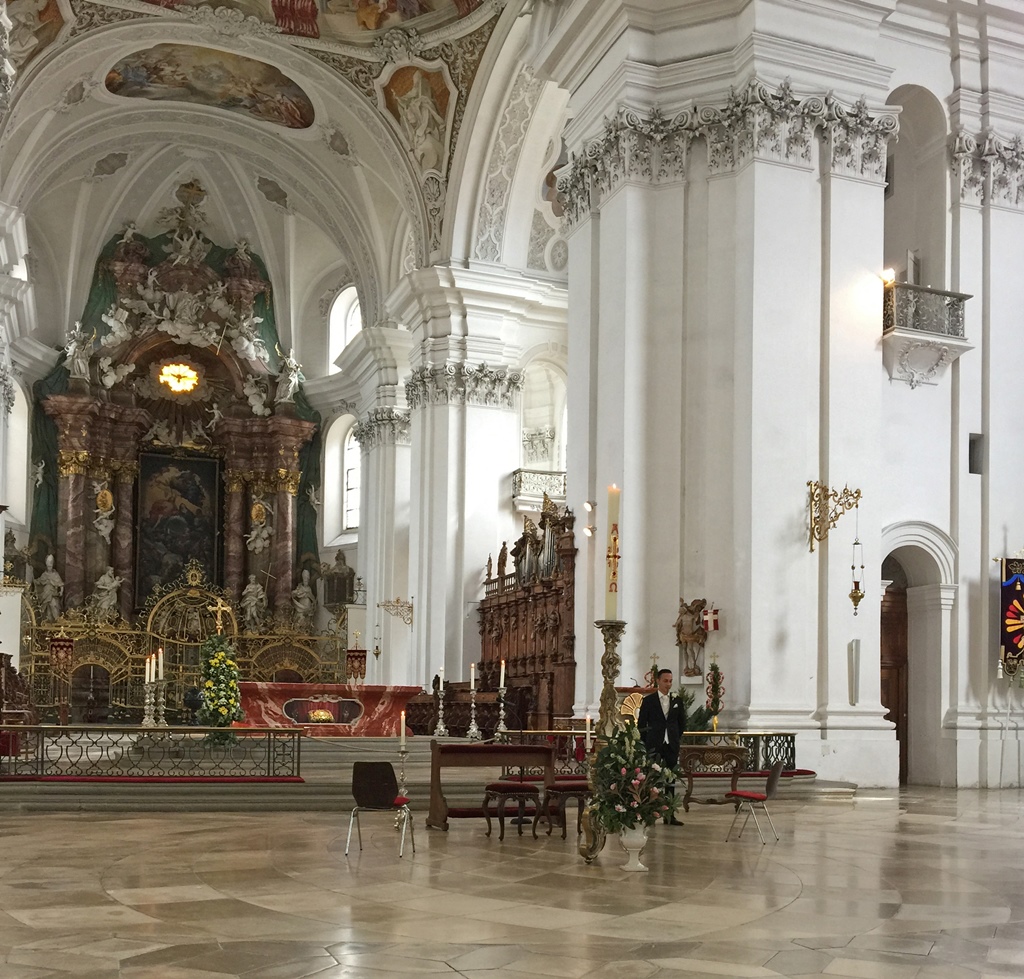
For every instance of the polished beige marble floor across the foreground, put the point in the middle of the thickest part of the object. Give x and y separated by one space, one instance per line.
924 884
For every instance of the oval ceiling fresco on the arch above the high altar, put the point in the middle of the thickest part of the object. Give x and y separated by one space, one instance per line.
204 77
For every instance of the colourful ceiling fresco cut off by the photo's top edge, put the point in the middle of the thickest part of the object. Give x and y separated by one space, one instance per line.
342 20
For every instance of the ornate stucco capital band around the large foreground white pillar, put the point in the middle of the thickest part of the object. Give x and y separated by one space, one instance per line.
755 123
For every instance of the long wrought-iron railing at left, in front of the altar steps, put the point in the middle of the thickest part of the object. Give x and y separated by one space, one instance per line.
102 752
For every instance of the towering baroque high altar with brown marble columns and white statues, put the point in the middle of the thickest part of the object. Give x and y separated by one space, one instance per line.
177 467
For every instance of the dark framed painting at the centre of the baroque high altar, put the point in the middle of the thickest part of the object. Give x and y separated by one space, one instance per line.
179 520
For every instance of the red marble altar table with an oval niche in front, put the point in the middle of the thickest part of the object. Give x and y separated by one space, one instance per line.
355 710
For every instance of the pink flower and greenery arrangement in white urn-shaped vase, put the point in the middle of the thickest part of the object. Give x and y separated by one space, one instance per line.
631 789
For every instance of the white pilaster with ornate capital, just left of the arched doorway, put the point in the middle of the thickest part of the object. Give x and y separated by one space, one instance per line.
852 430
